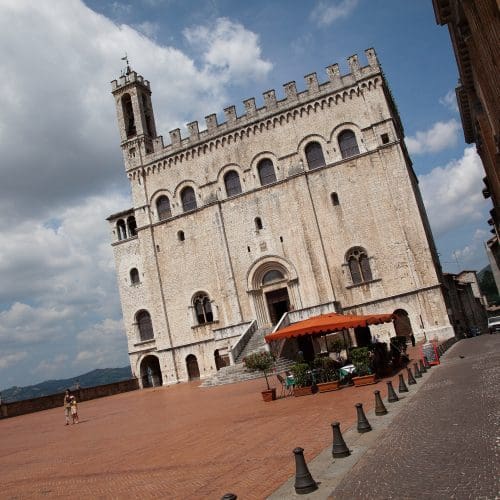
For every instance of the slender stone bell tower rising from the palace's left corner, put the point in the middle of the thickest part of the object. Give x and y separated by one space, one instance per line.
135 115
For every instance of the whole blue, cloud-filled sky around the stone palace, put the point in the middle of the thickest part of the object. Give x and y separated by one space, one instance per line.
61 168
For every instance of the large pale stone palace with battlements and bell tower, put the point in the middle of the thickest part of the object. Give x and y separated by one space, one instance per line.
304 205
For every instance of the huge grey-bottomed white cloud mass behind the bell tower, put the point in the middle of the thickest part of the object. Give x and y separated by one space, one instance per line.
69 148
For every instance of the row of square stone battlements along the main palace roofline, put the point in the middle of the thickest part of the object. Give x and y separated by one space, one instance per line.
272 106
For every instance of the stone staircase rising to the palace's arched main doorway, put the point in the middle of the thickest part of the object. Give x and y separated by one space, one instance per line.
238 372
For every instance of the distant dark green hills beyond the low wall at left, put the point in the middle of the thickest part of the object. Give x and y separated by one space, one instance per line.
100 376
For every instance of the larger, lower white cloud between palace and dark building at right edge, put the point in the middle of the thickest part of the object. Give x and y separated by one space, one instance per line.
452 194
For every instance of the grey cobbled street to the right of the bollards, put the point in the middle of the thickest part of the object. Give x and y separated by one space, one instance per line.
445 443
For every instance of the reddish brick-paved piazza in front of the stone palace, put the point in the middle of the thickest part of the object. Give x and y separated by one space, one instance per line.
171 442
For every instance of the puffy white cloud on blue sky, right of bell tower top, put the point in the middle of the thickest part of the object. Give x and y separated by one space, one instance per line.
229 49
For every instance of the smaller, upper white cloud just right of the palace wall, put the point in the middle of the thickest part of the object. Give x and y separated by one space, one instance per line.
440 136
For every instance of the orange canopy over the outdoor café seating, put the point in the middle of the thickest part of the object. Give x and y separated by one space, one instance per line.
327 323
